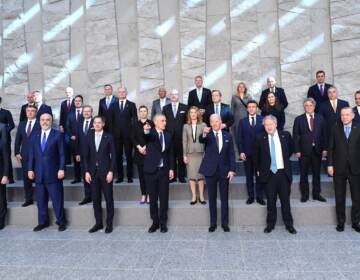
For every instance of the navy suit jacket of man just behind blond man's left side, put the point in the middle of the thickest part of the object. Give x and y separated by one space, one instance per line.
246 135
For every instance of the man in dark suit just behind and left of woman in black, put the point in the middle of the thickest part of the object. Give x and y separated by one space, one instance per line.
123 116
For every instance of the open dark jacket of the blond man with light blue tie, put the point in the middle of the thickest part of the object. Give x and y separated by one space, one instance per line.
262 157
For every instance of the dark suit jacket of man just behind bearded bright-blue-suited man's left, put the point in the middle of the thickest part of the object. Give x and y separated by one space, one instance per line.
22 140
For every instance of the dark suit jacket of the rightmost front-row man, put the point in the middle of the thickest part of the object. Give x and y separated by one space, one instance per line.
342 152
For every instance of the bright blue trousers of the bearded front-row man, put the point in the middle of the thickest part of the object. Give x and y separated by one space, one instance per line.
56 193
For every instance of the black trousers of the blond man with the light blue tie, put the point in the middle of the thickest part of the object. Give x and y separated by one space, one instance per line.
278 185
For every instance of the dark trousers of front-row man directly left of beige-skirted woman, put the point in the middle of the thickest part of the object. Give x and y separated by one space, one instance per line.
157 184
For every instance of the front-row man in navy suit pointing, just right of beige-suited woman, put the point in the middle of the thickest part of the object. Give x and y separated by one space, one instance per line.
218 167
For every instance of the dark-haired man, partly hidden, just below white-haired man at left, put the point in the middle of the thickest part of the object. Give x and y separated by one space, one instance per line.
72 124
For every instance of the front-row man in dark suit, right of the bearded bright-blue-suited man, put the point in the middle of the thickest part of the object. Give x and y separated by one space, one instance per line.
99 164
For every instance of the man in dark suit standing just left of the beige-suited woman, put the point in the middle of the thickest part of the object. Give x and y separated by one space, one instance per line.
175 114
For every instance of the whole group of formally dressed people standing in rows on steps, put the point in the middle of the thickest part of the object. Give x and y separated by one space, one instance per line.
196 141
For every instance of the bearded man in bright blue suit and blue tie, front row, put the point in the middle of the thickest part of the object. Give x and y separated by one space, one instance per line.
46 165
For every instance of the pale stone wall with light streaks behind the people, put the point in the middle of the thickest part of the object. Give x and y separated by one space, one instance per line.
144 44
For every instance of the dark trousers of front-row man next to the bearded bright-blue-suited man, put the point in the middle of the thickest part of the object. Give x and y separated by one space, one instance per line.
98 186
